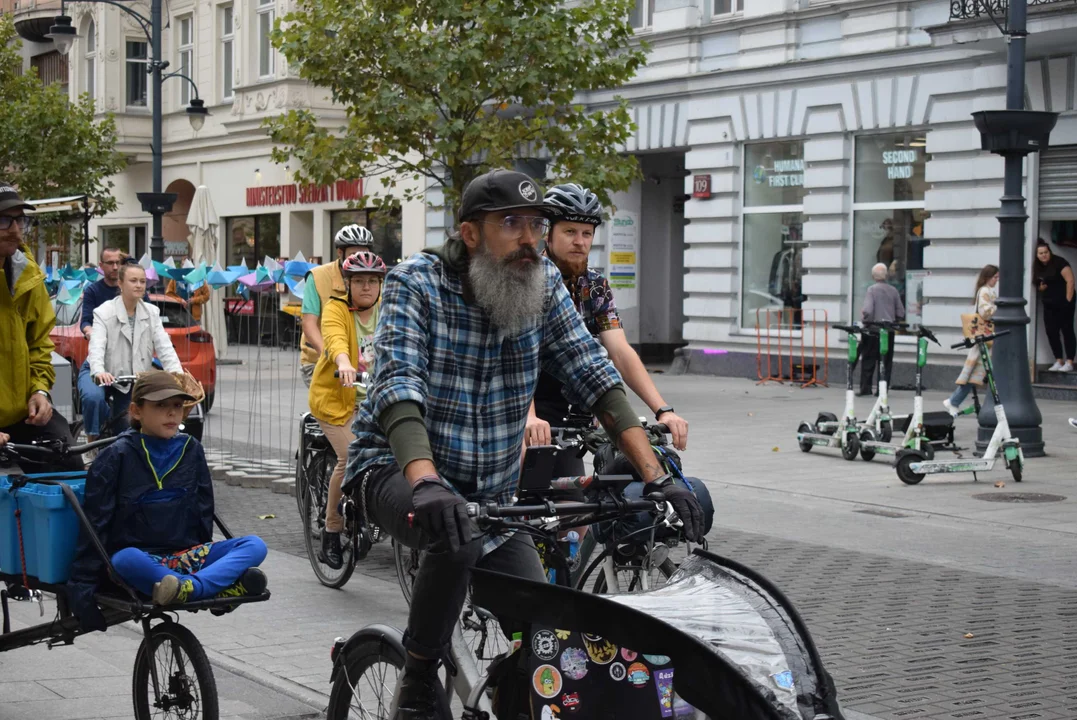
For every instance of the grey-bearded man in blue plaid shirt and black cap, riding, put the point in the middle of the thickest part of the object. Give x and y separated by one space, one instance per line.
465 333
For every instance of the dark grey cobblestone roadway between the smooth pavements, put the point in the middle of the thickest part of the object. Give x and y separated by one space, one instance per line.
892 633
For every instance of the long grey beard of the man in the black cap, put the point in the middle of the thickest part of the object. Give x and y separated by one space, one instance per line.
513 299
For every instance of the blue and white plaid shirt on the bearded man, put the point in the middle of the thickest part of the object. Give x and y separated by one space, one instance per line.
473 384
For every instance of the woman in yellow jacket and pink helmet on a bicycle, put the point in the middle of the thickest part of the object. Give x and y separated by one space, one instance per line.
347 326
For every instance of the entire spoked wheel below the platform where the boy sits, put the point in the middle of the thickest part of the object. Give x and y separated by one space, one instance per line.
186 685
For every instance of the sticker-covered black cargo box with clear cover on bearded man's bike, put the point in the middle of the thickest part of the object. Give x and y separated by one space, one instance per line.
719 641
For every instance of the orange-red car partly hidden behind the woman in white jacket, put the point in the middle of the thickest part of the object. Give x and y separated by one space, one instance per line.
193 345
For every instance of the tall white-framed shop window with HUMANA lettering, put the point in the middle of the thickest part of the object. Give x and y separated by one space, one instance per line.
773 244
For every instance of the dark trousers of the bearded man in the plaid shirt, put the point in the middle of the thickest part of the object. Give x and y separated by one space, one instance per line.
441 585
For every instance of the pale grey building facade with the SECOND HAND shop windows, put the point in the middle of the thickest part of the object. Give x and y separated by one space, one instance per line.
819 139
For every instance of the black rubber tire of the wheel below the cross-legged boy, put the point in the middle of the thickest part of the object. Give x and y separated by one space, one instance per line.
179 682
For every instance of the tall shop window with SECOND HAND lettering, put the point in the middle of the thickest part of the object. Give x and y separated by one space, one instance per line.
889 217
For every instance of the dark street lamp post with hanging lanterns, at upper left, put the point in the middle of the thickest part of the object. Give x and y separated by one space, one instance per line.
157 203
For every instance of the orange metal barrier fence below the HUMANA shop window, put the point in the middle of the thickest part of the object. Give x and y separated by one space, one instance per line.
779 347
